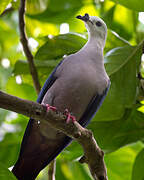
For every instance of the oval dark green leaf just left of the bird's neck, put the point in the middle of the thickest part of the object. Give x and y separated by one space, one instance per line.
60 45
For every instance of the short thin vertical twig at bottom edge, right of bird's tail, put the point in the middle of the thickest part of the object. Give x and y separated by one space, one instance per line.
51 170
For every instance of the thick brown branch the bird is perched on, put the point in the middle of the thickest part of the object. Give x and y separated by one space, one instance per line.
93 155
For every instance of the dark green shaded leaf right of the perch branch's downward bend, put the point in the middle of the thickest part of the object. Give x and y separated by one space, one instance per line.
112 135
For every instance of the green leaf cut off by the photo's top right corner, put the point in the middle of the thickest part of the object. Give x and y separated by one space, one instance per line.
132 4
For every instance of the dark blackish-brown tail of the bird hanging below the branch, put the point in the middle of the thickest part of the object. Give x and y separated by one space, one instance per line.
37 152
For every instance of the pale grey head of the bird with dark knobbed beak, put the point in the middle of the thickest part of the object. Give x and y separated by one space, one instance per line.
96 27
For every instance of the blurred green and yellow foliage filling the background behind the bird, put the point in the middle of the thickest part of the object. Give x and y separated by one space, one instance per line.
119 125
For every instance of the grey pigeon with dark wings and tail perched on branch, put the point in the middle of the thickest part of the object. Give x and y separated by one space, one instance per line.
78 86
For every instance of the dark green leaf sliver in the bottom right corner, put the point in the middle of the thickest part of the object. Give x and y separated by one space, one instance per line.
138 172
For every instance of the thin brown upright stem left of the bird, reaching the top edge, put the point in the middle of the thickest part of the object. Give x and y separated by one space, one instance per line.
26 49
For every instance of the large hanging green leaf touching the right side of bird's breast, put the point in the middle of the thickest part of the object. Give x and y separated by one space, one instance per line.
121 65
